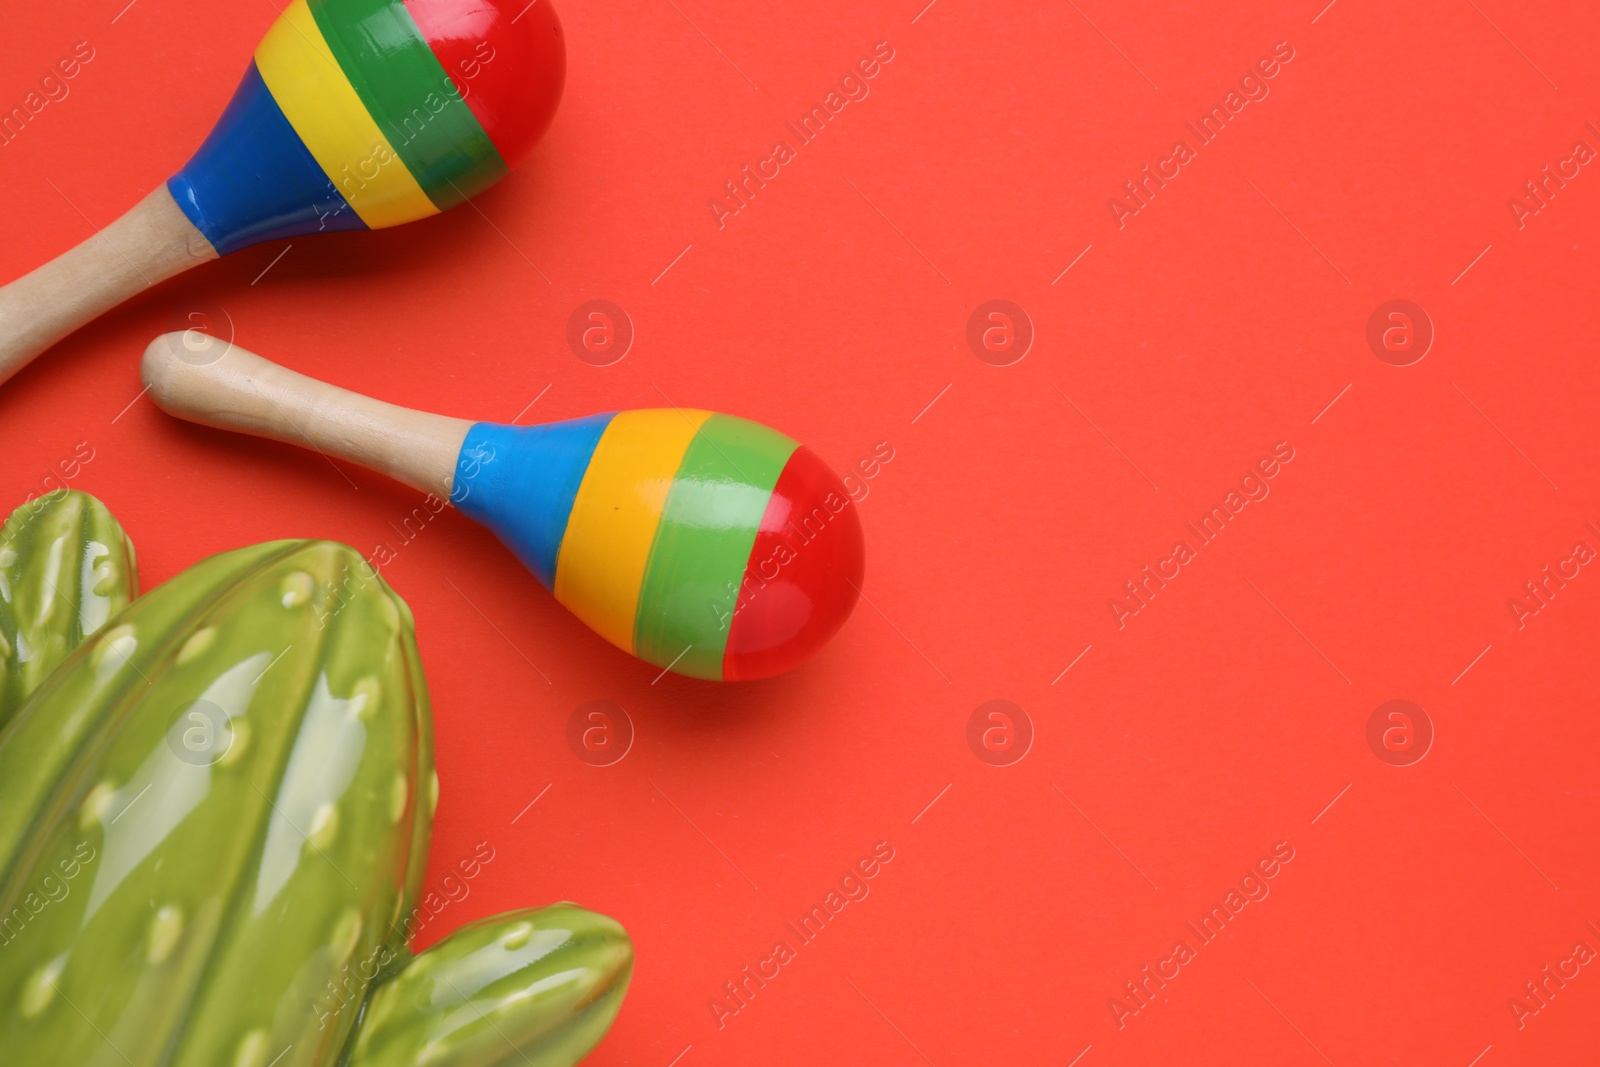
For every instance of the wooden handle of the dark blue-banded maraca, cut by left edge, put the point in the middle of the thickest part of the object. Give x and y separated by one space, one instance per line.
151 244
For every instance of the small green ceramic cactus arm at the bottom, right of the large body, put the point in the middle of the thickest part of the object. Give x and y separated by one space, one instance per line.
537 989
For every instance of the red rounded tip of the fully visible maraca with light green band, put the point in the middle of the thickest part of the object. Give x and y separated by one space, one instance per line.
804 573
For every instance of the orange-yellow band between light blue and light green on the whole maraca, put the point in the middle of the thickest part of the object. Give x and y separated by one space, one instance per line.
614 522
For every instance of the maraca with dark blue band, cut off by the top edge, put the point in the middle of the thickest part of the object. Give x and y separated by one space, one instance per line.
354 114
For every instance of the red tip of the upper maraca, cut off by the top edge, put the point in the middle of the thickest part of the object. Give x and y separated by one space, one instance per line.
506 57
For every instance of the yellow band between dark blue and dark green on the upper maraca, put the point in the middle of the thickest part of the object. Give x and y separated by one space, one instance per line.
318 98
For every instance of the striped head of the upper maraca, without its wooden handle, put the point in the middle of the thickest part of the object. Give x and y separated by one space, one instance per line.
362 114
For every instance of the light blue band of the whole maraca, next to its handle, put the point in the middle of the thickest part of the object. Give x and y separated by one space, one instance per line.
521 482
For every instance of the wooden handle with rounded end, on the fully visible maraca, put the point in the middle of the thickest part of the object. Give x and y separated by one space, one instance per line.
210 382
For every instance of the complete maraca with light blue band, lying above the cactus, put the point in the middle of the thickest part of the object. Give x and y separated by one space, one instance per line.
702 543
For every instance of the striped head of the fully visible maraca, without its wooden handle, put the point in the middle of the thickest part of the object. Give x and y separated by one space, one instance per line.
695 541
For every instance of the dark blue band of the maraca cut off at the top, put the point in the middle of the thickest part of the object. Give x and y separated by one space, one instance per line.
255 180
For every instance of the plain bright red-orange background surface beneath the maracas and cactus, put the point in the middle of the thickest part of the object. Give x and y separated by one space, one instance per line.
1220 321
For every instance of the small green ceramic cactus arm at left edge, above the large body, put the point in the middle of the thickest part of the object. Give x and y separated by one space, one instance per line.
66 569
